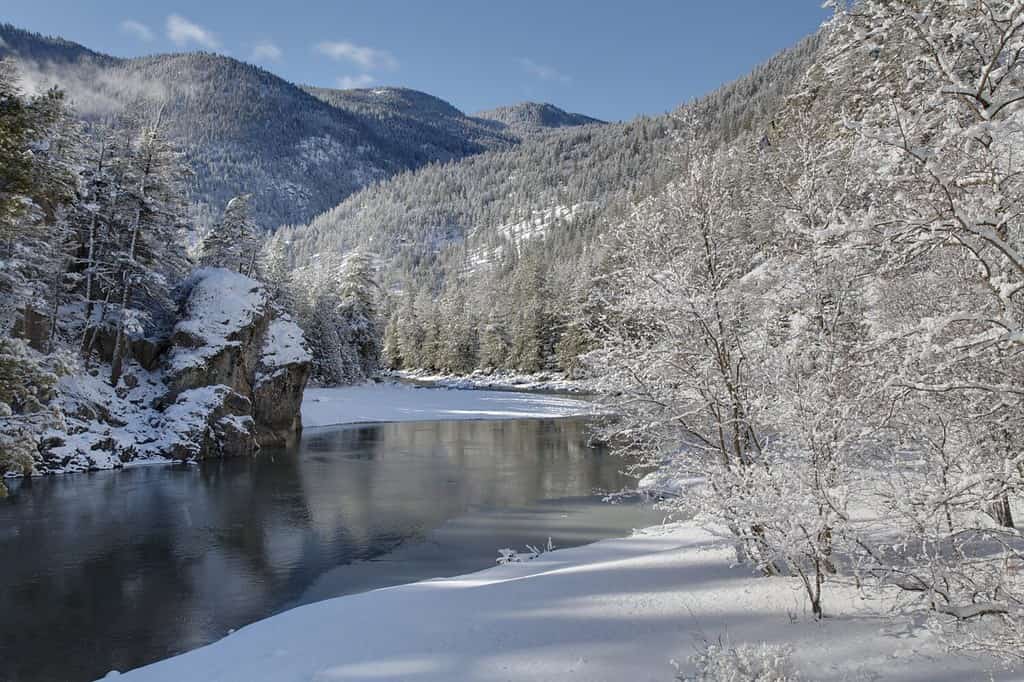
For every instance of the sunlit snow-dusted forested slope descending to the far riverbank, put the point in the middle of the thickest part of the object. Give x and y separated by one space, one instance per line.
488 262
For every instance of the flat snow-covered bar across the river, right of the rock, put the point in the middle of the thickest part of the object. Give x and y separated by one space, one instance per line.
399 403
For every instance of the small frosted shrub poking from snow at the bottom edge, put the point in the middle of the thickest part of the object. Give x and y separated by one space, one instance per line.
745 663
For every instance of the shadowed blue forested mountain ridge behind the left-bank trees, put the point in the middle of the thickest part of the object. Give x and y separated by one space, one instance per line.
300 151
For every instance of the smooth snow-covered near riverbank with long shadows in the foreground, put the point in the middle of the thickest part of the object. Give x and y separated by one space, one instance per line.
619 610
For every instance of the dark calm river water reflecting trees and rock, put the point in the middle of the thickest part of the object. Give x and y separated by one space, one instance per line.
111 571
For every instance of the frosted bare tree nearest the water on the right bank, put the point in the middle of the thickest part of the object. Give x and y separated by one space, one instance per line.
679 350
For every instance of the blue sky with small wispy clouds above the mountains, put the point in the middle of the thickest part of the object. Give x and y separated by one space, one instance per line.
609 59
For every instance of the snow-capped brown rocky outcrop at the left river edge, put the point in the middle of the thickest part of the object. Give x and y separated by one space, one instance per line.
227 379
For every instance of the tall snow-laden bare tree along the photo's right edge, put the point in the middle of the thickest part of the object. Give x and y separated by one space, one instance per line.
935 94
